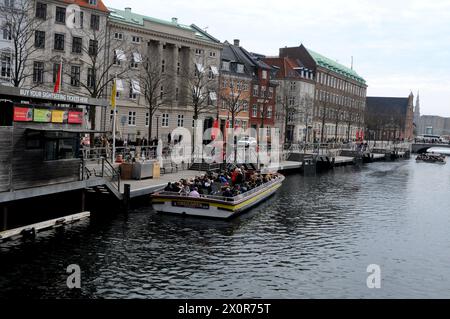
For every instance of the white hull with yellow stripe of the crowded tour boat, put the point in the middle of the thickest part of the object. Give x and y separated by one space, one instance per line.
204 207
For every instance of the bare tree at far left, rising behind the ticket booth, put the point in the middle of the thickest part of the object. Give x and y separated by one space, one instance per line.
20 24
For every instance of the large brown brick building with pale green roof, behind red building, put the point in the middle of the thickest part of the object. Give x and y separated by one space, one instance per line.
340 95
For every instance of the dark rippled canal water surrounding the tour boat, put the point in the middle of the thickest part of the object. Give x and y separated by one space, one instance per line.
314 239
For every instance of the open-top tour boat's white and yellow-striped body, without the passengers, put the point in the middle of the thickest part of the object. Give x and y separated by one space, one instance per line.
215 206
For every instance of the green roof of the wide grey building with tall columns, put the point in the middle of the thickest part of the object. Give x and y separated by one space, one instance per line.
129 17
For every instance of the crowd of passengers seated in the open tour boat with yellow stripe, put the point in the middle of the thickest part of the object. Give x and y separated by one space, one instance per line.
226 183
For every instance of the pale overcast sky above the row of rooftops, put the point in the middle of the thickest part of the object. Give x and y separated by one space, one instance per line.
398 46
